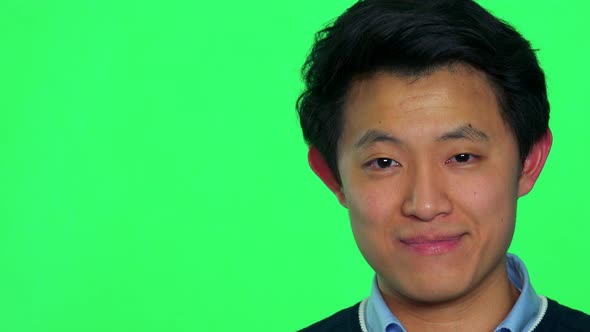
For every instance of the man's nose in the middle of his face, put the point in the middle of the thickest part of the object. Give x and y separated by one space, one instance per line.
427 196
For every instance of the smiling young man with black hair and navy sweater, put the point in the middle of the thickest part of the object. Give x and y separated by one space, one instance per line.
428 120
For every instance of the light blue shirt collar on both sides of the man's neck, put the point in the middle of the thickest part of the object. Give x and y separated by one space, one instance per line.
521 318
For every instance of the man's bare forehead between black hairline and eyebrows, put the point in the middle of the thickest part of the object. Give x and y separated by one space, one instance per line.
420 105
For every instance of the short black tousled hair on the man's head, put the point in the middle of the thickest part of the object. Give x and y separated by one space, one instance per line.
413 37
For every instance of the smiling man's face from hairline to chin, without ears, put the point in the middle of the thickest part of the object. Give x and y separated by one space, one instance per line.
430 176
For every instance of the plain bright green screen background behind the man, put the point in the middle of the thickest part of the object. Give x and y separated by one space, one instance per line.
153 176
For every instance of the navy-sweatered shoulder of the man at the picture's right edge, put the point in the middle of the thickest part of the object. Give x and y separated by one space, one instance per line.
563 318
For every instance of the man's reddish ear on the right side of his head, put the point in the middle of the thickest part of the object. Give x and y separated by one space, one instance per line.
534 163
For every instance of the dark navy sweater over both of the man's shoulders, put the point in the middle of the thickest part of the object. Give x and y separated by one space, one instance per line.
558 318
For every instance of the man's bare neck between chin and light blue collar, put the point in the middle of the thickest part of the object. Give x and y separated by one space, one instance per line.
480 309
